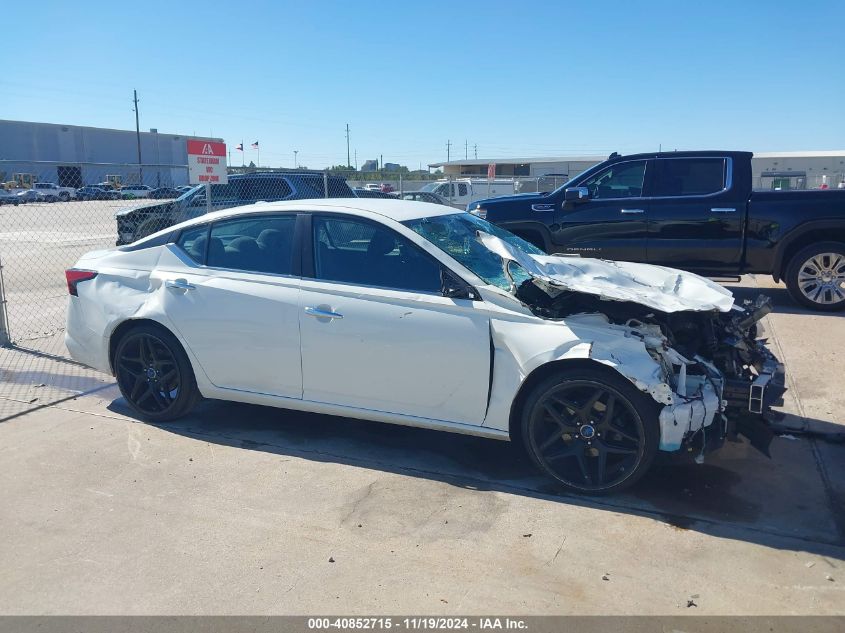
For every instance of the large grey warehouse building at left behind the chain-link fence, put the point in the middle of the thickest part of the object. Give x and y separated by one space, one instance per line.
73 155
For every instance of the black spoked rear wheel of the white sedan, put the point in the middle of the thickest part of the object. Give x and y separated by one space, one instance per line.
148 374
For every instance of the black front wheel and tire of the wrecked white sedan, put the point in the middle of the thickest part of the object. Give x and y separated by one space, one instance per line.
591 430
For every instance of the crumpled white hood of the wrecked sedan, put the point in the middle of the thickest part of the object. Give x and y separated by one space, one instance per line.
657 287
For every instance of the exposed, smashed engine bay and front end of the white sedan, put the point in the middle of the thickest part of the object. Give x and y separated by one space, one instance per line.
722 375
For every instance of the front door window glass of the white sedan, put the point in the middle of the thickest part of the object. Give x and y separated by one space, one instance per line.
365 253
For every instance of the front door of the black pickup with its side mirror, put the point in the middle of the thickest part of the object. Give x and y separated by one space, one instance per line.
611 223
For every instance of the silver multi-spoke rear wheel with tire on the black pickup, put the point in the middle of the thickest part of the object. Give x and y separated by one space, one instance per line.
815 276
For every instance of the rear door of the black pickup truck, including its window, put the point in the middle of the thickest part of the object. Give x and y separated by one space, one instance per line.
696 216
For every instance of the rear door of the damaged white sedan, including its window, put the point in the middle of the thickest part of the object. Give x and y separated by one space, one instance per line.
231 290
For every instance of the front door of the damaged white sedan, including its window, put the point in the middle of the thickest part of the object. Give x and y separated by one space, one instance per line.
377 333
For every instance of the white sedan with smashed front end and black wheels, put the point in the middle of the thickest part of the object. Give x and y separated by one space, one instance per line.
416 314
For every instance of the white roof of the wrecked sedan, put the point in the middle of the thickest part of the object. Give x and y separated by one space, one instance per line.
395 209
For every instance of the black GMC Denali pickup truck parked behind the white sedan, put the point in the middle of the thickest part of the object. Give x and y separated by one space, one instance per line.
690 210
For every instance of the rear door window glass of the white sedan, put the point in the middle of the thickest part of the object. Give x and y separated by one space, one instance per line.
253 244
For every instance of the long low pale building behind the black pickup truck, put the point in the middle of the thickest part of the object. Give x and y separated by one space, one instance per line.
770 170
